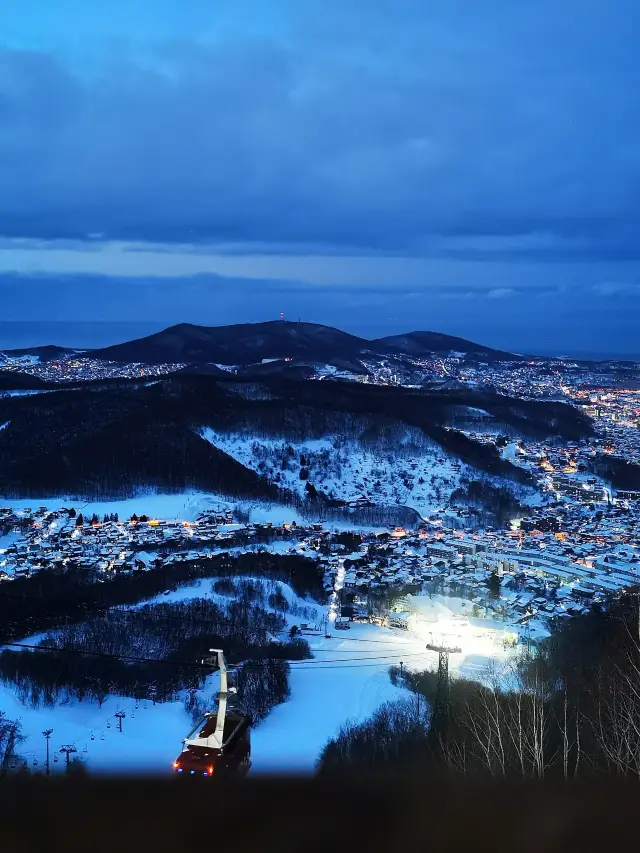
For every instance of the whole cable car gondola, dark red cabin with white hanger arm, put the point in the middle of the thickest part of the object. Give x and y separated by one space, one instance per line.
220 744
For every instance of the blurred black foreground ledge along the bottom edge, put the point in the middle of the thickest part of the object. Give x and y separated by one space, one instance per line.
284 815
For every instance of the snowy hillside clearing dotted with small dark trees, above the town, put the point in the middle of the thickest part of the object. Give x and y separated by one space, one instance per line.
414 472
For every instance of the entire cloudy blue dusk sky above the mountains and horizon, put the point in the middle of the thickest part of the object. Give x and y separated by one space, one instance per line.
379 165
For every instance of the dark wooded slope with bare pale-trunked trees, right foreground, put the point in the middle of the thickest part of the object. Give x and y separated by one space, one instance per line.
568 710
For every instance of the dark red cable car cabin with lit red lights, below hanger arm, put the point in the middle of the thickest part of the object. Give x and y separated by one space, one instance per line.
202 756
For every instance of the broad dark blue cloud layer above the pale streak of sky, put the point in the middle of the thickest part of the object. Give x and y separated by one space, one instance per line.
378 125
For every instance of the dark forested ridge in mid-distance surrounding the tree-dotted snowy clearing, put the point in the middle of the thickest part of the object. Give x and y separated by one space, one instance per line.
110 439
